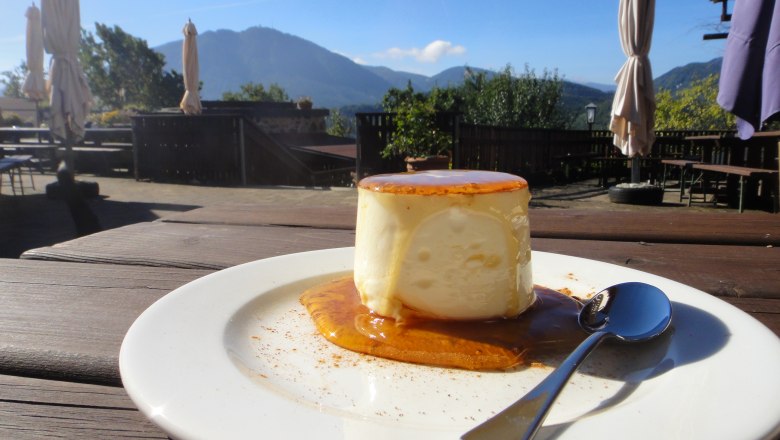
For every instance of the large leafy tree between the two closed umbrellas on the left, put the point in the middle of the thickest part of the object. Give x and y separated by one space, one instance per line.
122 70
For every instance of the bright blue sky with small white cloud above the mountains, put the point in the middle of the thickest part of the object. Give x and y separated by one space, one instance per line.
578 38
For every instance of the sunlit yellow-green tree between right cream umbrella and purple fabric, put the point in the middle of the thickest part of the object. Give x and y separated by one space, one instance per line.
693 108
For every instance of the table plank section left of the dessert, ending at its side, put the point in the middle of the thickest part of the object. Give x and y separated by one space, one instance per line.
186 245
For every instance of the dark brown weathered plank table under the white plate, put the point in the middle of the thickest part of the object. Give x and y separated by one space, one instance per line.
64 309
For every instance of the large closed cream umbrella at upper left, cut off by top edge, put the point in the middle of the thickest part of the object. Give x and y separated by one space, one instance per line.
68 90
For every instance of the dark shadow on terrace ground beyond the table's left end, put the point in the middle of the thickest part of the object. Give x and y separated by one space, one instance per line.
32 221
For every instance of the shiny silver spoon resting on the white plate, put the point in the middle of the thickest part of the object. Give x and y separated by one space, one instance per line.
629 312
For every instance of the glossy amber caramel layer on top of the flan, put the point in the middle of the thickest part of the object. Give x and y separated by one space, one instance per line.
442 182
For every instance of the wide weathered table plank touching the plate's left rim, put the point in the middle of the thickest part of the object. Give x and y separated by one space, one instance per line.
67 320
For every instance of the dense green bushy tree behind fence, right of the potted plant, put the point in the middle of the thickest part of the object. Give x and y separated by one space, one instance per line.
509 100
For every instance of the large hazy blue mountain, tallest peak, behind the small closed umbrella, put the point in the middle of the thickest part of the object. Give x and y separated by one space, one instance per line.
229 59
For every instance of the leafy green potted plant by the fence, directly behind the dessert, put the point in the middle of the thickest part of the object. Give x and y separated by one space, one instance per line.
417 138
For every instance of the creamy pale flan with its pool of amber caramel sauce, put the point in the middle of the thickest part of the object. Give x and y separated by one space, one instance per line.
442 276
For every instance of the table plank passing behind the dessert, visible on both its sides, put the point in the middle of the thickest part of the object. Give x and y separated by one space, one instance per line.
740 271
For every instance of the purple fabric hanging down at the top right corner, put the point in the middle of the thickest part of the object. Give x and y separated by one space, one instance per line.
750 75
